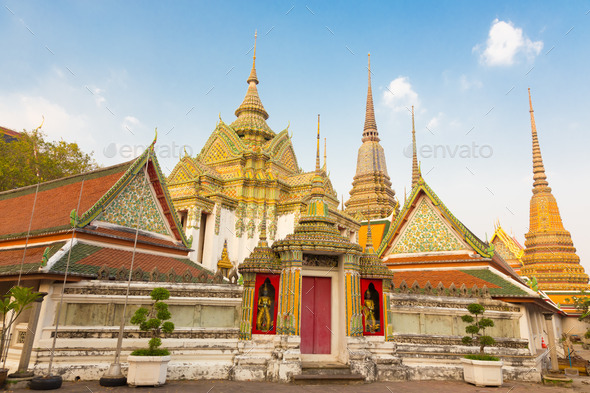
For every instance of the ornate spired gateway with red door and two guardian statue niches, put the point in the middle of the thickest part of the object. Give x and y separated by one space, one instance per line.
325 298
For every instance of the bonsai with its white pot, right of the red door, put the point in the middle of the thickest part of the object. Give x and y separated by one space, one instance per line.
480 369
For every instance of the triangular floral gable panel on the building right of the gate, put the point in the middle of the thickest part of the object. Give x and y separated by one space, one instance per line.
426 231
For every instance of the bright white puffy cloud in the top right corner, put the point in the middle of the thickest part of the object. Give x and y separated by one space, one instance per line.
504 43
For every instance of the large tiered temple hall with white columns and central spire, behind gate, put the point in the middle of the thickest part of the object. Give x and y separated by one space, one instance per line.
245 170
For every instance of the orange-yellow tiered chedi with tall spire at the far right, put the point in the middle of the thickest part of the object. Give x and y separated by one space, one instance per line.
549 253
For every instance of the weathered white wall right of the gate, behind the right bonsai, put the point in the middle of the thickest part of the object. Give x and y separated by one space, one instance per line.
428 330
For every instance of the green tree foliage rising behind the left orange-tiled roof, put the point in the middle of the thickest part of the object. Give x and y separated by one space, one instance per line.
31 159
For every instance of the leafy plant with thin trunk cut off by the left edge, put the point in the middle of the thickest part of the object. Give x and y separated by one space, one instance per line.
12 304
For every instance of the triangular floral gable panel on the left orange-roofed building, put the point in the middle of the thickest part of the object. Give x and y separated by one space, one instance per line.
125 209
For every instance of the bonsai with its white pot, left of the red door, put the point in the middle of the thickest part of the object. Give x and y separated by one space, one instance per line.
148 366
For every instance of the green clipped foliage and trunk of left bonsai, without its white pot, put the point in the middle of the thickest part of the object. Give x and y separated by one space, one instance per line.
154 320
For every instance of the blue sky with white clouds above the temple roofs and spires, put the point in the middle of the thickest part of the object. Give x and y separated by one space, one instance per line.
105 74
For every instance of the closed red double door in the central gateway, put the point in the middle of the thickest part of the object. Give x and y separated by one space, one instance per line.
316 319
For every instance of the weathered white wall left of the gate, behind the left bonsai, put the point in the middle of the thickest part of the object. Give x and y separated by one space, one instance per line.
202 346
